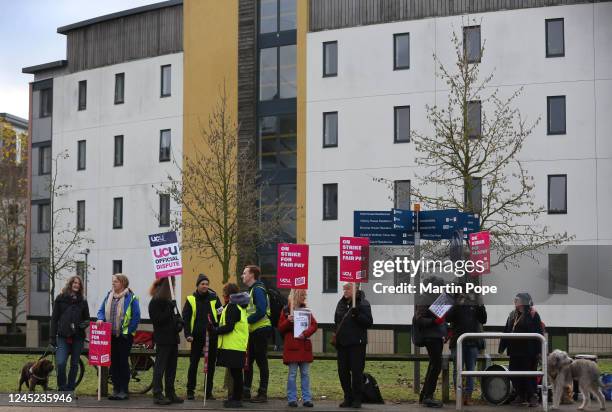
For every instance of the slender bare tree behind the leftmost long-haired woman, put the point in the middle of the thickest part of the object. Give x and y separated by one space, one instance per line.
65 239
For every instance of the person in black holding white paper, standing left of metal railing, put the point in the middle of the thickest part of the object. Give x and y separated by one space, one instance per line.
433 330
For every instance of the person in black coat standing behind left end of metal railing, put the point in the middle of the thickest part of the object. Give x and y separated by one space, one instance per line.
466 316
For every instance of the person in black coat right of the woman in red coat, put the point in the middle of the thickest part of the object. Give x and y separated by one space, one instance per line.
352 325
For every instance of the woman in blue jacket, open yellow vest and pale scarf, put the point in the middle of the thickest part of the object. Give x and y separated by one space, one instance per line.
121 309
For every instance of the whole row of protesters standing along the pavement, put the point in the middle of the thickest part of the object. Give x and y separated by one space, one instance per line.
235 330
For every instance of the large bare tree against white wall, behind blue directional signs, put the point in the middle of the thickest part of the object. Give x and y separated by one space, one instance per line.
472 161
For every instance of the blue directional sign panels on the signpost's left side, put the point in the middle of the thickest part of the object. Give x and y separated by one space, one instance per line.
378 226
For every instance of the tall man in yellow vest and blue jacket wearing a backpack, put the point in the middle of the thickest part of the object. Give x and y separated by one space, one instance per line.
260 330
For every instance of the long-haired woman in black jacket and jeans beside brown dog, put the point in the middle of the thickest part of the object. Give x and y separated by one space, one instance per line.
69 319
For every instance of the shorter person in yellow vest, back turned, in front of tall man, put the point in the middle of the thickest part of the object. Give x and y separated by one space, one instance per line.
233 338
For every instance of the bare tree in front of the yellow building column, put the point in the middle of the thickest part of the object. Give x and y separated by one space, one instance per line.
218 194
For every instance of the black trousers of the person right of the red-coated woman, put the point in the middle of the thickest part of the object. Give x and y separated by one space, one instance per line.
351 362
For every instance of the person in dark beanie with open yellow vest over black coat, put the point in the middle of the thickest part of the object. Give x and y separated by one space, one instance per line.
201 314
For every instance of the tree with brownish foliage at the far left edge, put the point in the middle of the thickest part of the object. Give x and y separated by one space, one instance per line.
13 207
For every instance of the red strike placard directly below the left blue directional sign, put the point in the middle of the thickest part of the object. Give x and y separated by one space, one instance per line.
354 254
